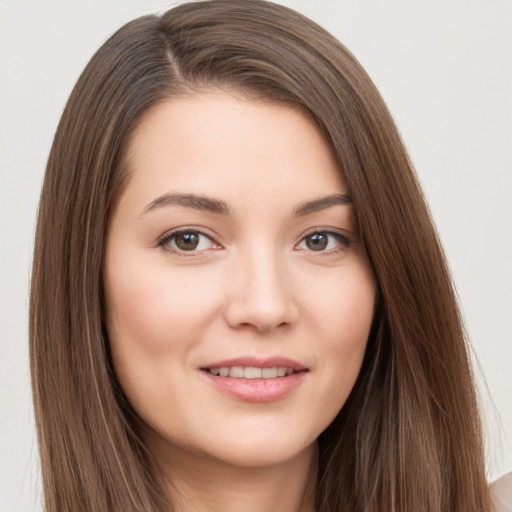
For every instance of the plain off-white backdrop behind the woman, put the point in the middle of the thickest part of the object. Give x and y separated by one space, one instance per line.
443 66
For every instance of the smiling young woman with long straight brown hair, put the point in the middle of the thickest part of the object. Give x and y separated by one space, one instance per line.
238 297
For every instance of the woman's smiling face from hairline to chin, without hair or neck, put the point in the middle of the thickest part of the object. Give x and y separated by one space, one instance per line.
239 300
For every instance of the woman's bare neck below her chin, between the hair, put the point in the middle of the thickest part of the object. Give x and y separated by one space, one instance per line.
214 486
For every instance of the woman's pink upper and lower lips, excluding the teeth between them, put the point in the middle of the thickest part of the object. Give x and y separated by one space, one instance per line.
258 390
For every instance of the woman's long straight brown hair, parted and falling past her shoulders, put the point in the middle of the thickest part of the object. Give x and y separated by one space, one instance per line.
409 437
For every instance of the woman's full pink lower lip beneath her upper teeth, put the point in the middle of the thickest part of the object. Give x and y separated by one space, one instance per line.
257 390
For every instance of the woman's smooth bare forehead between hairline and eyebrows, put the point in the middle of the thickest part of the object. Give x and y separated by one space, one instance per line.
229 146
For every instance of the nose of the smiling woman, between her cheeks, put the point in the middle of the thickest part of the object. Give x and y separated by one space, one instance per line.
260 294
